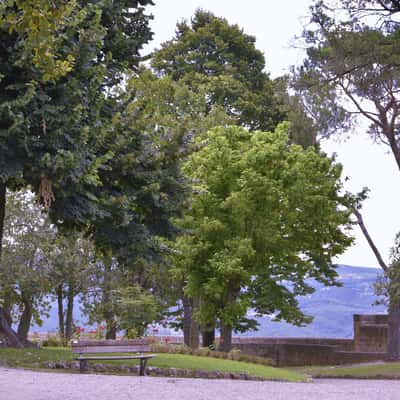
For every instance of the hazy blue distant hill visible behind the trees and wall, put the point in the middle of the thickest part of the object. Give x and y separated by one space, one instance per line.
332 308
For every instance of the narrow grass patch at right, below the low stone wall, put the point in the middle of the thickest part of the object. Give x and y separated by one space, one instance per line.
370 371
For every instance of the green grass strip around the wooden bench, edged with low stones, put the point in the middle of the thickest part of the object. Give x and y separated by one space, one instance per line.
33 358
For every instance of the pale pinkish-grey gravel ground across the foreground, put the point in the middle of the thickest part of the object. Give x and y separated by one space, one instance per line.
30 385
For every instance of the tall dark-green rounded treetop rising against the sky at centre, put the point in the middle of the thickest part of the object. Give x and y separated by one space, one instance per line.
211 54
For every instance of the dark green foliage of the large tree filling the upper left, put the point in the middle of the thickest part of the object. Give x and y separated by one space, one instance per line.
71 137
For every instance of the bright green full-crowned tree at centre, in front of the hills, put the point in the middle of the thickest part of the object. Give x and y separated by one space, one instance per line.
265 216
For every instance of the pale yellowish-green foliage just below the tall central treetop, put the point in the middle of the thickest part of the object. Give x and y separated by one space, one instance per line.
169 111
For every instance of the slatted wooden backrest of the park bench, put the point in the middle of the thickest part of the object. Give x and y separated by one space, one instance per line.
111 346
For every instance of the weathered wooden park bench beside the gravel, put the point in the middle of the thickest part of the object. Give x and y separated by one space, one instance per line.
138 346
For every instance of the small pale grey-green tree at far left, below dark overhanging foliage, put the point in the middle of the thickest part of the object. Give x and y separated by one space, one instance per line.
25 268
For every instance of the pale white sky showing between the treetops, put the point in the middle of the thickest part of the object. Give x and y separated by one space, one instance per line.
367 164
